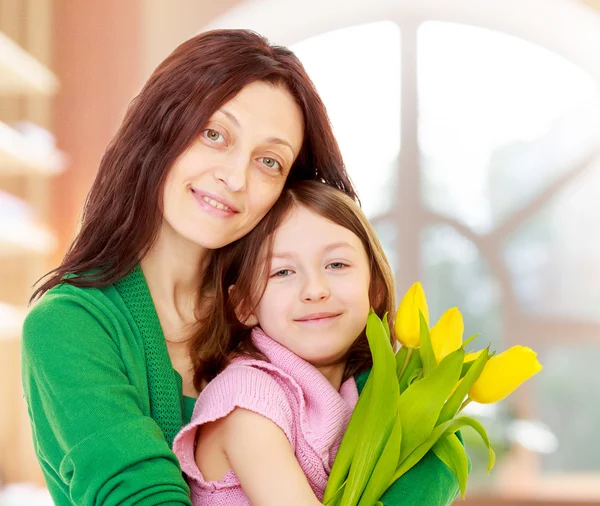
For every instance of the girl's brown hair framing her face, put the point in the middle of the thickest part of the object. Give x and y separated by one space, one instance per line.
246 263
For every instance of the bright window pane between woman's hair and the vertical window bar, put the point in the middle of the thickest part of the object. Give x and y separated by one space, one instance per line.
357 72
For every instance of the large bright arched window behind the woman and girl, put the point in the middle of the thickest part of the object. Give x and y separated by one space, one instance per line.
472 132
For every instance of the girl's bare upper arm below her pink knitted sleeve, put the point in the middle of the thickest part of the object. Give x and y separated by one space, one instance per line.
264 462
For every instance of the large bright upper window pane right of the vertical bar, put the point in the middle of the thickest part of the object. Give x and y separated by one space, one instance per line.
500 118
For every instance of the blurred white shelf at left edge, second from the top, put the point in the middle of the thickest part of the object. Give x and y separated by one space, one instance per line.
18 155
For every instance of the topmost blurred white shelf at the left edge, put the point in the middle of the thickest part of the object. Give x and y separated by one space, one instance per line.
21 73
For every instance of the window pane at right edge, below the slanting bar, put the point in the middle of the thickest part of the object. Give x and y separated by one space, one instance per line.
554 257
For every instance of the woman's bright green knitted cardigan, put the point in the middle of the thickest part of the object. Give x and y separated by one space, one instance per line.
105 403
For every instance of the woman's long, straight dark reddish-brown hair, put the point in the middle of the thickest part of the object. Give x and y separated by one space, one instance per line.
123 210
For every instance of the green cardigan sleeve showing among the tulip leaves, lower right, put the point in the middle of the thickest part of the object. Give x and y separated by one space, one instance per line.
429 483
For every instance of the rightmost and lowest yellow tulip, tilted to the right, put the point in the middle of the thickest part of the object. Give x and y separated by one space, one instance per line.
503 373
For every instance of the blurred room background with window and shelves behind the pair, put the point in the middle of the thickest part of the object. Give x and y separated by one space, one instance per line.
471 129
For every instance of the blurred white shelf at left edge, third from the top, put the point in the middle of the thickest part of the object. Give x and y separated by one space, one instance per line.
26 239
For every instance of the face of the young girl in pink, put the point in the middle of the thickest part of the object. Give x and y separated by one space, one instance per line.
316 300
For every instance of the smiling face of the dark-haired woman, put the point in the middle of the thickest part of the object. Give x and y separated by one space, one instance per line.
227 180
